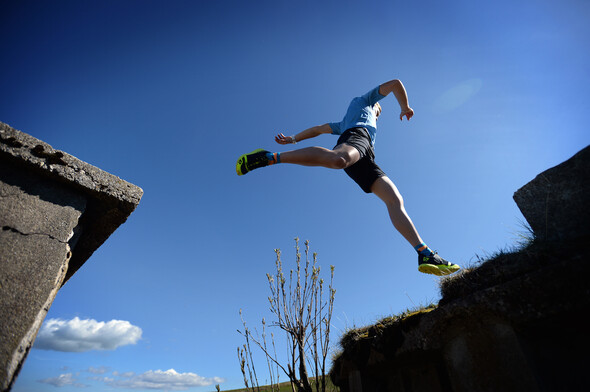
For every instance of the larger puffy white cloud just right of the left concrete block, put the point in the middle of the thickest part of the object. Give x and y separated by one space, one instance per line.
84 335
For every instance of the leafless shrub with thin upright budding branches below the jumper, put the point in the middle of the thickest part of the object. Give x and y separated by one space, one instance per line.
303 311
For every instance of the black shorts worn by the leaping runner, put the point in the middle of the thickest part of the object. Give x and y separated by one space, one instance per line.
365 171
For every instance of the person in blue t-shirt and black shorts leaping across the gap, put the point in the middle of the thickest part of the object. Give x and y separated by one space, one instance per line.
354 152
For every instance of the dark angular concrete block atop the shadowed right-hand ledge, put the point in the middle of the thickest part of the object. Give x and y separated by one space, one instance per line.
557 202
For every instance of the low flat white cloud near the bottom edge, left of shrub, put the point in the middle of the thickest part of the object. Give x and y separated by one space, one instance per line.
169 380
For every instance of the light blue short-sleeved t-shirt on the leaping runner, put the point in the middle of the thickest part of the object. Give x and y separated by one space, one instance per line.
360 113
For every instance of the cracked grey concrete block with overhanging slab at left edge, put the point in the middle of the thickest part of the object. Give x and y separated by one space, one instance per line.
55 211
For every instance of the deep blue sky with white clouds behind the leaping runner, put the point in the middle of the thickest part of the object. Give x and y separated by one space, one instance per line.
167 95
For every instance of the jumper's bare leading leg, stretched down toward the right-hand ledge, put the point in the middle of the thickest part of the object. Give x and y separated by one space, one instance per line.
386 190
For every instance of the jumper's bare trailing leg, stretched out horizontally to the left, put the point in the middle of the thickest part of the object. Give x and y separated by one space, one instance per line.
341 157
